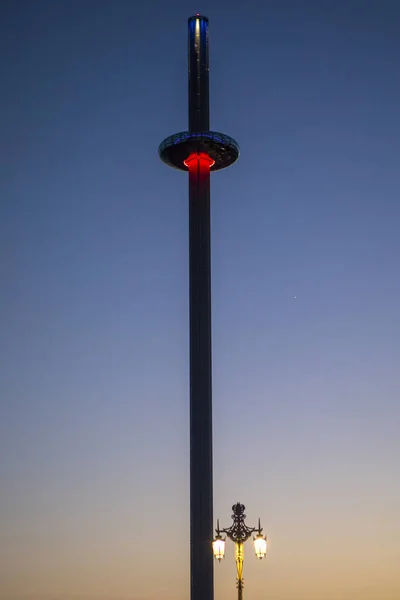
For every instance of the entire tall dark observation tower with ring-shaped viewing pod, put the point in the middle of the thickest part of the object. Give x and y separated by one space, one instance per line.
200 151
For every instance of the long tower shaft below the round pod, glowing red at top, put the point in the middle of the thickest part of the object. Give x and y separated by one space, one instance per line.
201 467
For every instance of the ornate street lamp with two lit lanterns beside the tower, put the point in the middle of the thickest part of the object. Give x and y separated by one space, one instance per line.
238 532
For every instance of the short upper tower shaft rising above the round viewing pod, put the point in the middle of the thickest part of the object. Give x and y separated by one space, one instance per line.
199 111
